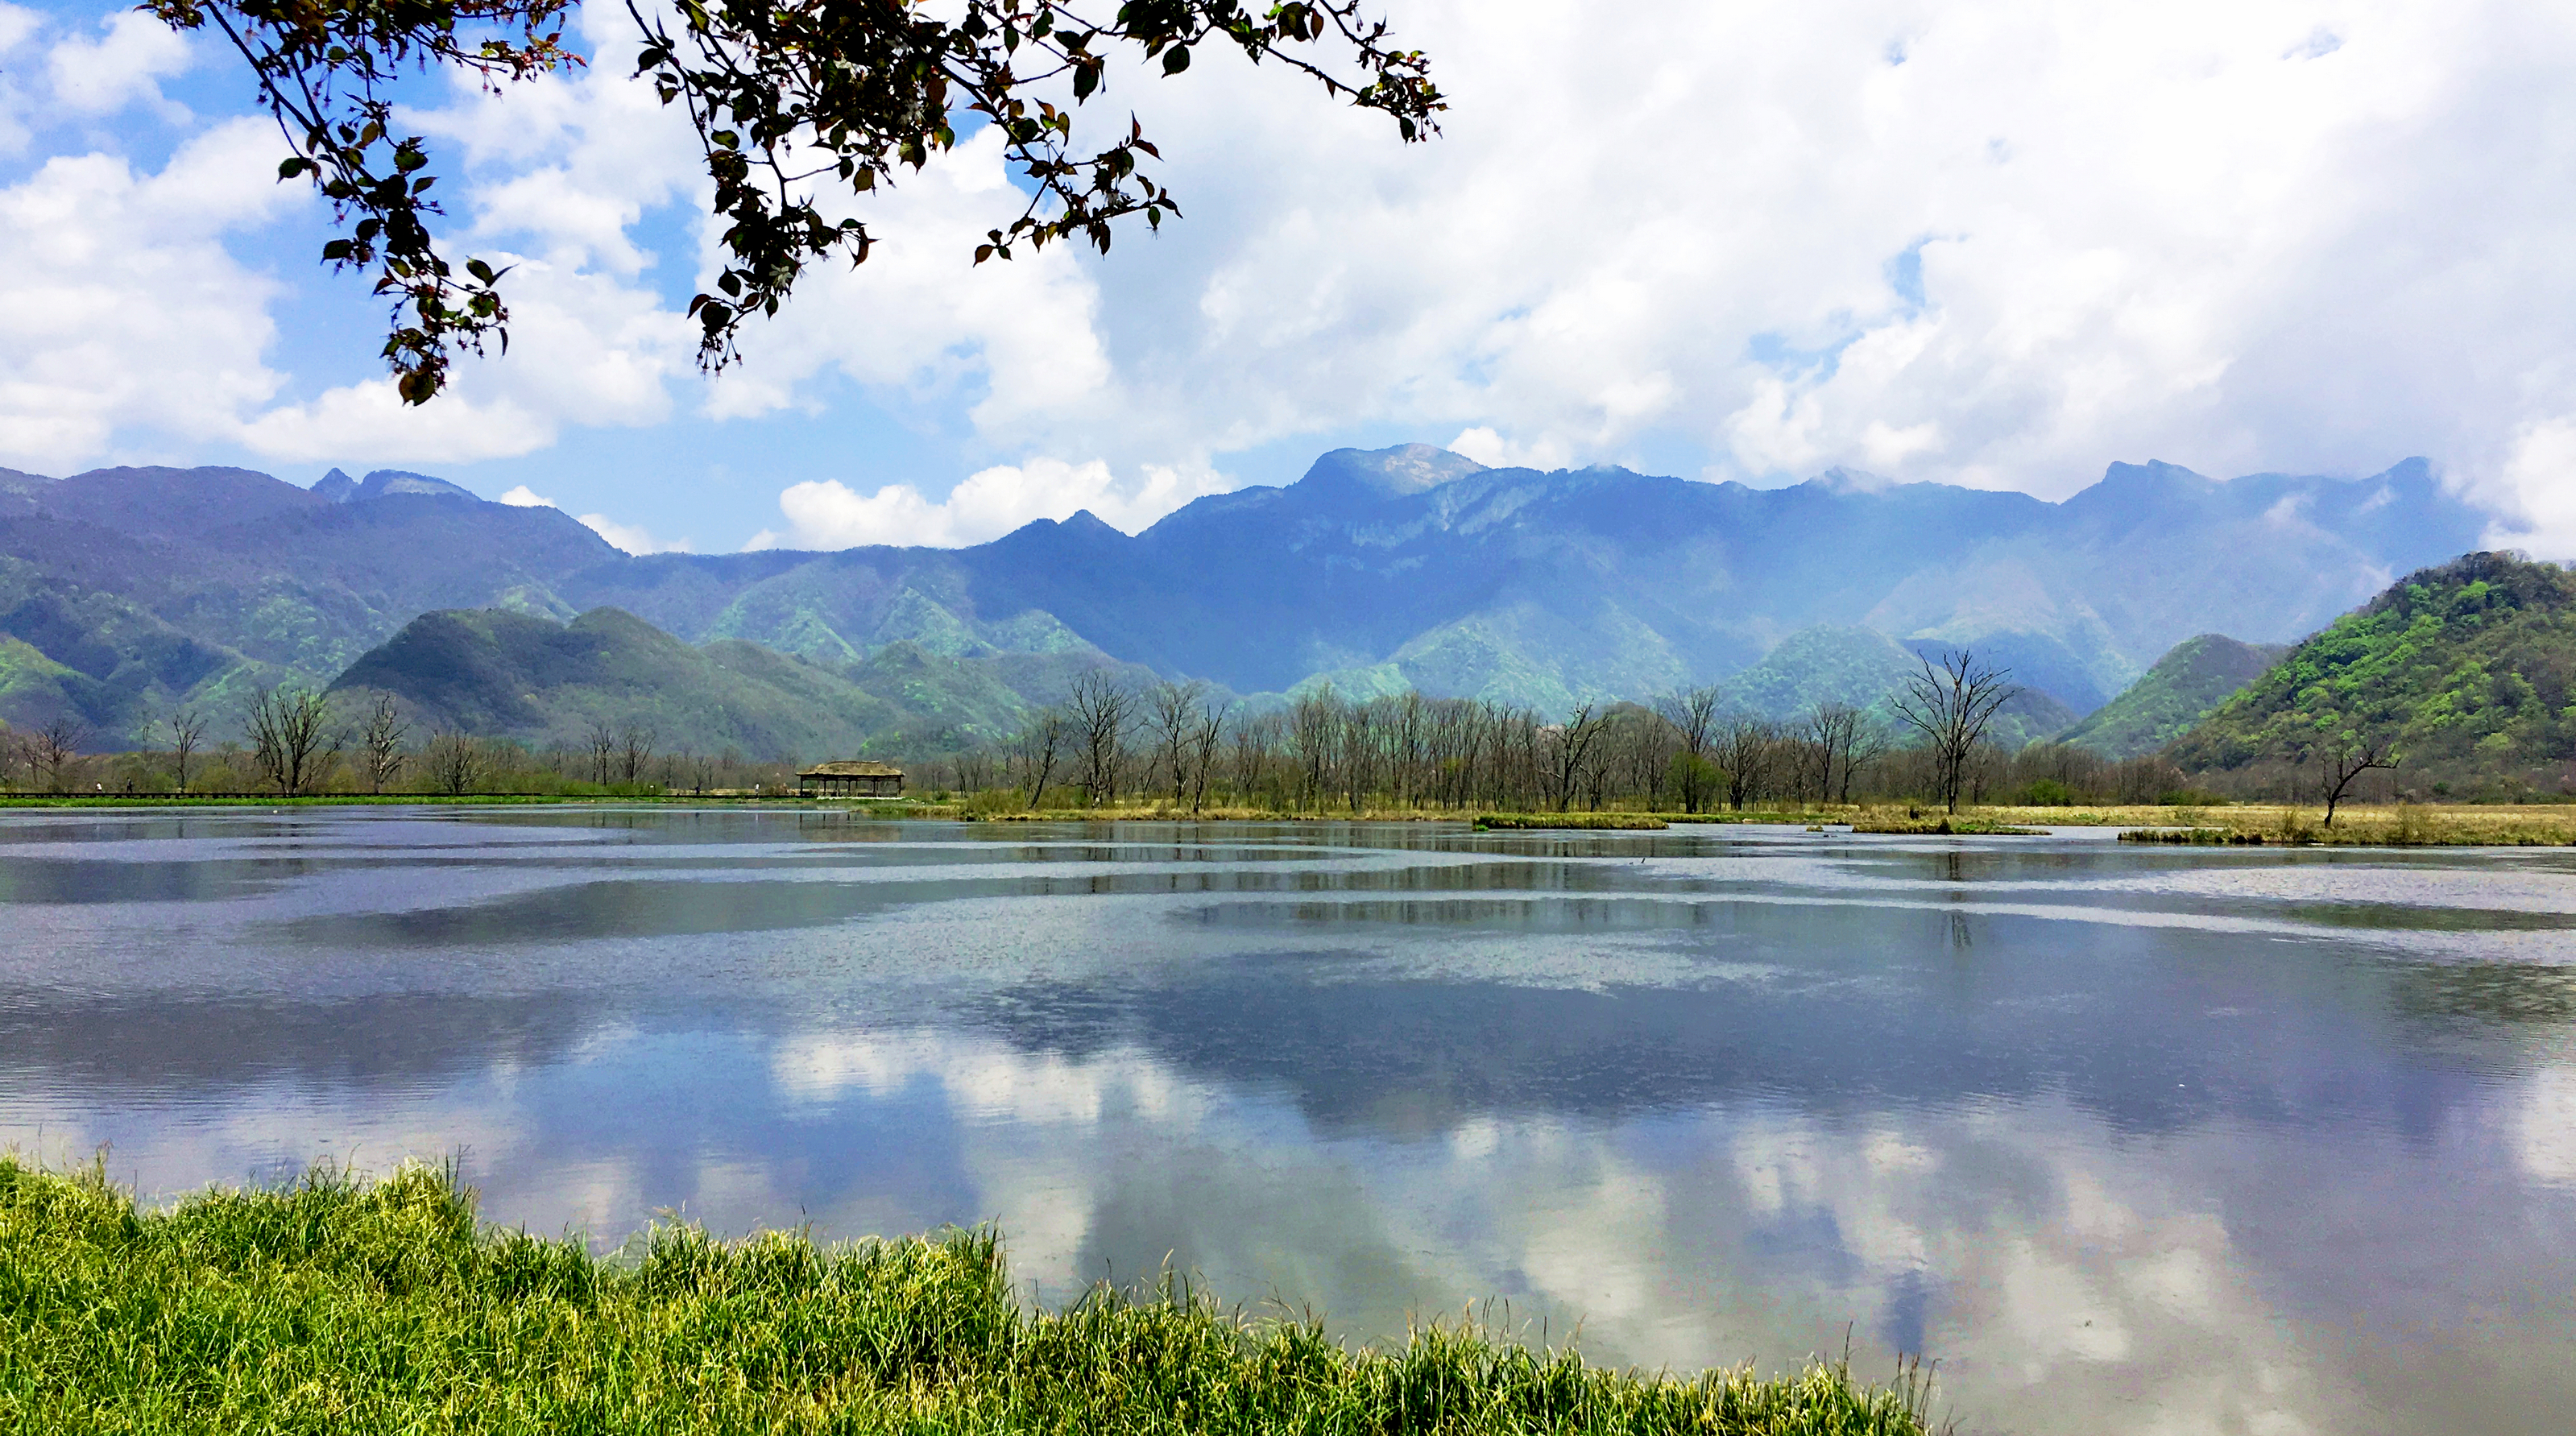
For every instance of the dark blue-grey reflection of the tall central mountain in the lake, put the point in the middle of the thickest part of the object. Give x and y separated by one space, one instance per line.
1982 1010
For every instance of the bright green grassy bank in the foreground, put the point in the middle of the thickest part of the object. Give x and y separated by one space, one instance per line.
352 1306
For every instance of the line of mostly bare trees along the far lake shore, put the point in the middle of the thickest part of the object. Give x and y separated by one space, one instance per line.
1176 745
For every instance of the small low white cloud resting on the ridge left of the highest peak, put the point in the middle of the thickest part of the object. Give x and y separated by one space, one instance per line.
985 506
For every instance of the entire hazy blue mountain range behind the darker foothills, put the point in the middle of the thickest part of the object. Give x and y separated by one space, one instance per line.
130 591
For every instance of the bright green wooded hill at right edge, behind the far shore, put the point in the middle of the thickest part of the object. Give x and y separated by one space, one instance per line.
2467 670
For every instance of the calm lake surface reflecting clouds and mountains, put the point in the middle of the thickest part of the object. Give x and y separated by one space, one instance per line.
2124 1139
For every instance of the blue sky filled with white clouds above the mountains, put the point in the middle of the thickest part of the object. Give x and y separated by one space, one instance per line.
1995 243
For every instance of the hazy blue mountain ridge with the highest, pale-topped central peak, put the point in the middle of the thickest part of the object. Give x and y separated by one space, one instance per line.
1549 588
